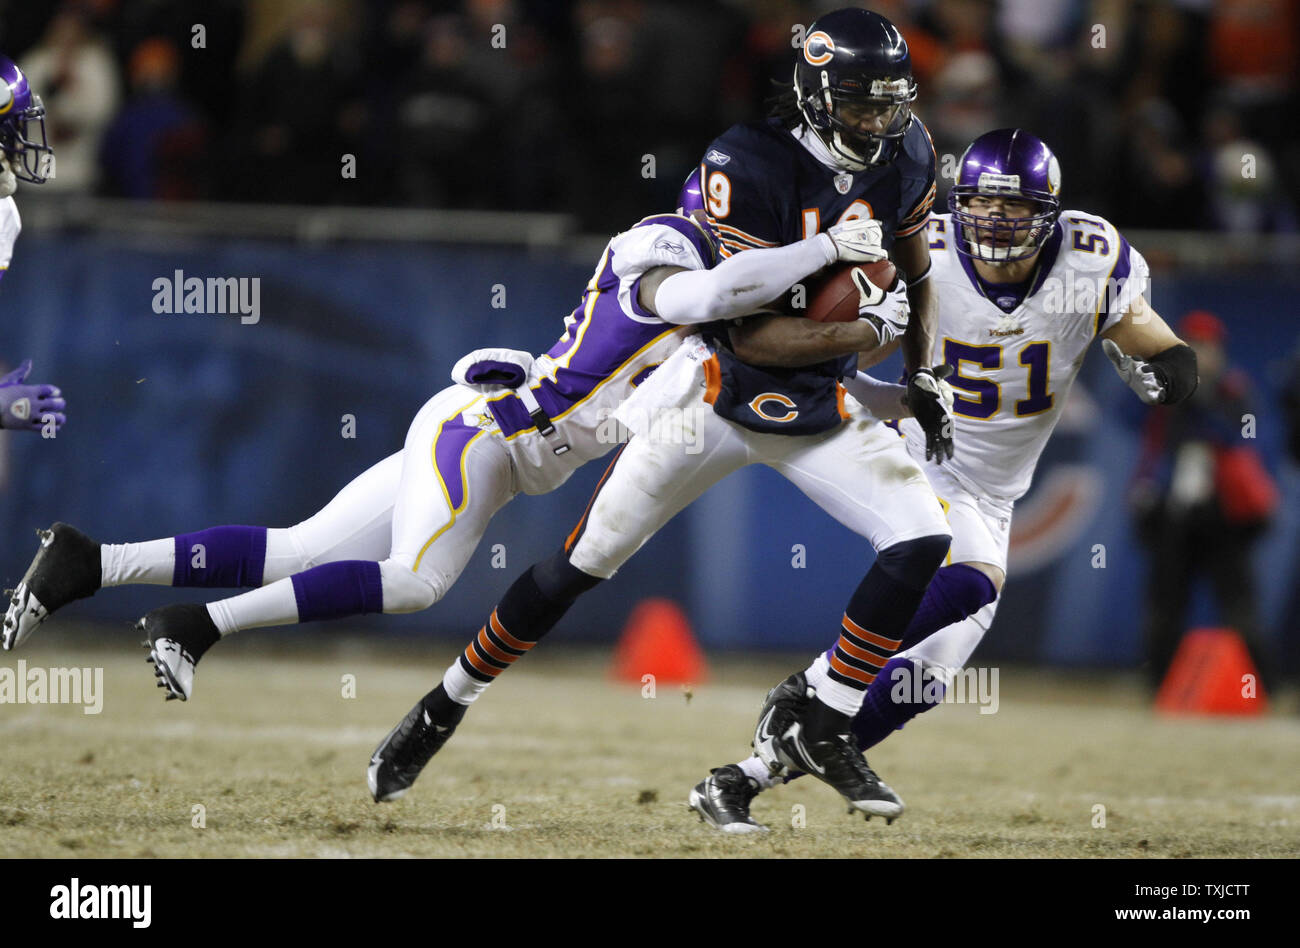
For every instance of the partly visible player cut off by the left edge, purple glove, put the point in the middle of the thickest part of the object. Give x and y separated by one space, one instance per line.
23 158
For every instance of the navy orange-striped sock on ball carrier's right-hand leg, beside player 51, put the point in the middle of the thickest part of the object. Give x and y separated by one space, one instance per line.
873 629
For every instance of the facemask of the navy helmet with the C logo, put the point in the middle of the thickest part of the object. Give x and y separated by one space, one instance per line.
838 115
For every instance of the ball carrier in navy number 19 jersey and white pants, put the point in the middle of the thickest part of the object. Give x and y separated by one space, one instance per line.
843 149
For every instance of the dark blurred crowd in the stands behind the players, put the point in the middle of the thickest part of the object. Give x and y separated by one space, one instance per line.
1165 114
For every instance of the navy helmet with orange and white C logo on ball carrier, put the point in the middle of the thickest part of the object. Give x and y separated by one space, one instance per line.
855 86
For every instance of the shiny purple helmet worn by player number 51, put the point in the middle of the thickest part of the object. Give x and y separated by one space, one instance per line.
1008 163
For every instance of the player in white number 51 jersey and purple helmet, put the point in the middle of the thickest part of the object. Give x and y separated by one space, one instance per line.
1024 288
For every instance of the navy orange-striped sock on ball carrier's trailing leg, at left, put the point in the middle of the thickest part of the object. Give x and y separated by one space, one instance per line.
528 611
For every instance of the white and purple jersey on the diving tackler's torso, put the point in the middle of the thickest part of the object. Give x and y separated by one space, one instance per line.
610 345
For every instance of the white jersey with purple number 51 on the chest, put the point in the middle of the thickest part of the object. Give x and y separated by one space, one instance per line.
1013 371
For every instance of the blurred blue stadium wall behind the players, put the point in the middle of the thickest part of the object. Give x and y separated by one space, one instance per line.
179 422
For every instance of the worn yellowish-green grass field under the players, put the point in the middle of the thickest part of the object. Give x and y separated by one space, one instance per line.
560 761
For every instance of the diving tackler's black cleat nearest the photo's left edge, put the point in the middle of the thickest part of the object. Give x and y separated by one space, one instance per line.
67 568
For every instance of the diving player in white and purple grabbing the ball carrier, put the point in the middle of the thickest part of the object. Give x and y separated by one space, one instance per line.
397 538
